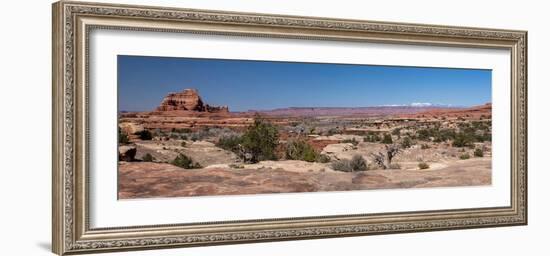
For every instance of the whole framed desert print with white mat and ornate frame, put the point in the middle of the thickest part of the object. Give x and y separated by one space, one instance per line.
179 127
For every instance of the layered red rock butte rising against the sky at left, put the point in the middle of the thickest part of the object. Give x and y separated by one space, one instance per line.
188 100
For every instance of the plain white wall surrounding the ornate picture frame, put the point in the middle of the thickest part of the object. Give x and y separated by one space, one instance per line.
25 101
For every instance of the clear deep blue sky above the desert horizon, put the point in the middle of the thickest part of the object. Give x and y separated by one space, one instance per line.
261 85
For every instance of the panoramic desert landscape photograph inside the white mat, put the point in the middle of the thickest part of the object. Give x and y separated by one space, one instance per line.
212 127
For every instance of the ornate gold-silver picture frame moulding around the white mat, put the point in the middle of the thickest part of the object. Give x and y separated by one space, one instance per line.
72 24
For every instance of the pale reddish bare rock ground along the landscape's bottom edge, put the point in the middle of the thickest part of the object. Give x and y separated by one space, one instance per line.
147 180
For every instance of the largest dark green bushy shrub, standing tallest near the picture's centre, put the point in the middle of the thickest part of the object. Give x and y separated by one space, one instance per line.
260 141
